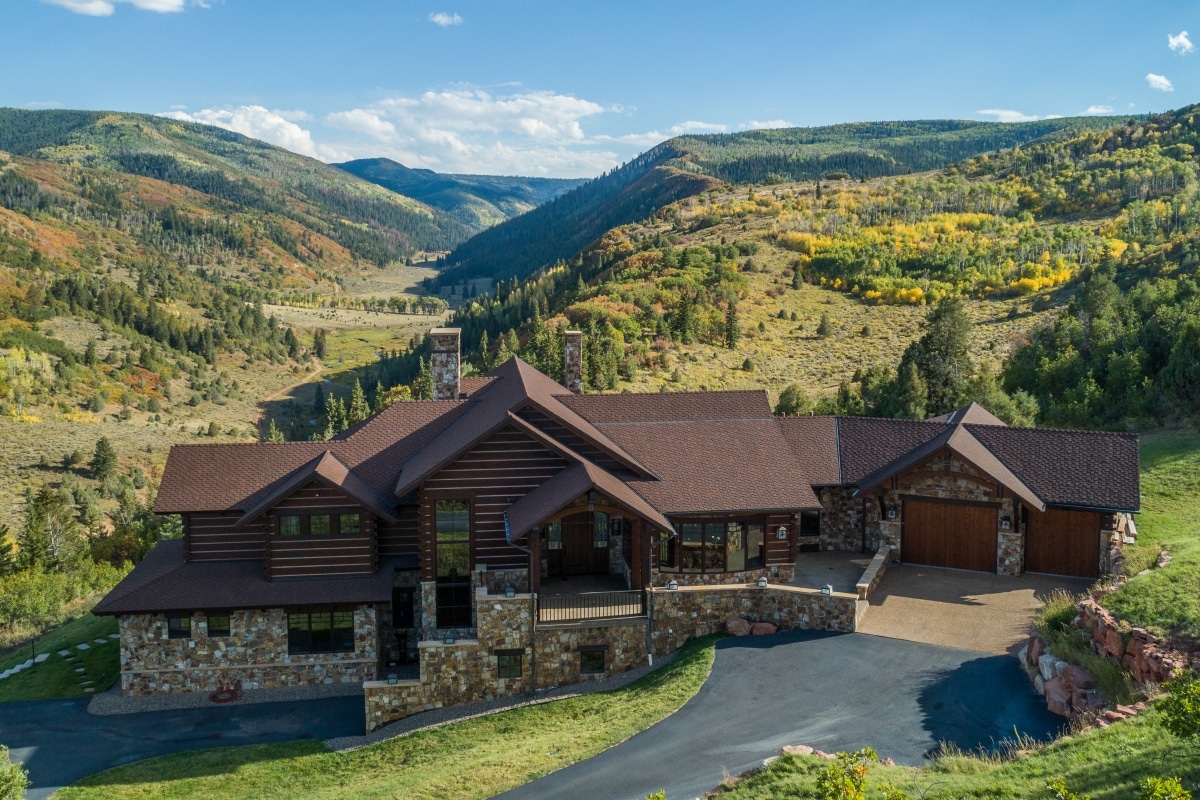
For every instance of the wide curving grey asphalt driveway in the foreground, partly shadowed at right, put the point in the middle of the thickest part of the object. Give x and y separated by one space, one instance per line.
827 690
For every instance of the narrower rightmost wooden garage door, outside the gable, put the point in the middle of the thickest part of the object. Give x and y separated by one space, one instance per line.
1064 542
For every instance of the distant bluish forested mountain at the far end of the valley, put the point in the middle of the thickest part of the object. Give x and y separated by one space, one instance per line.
477 201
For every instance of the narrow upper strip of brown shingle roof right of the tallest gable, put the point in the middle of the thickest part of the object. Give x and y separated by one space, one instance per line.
674 407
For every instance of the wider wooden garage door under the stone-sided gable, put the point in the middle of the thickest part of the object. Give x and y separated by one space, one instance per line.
961 536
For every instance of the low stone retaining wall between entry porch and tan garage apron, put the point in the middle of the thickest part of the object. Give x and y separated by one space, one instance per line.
695 611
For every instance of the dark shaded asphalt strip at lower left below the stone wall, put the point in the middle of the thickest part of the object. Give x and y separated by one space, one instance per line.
61 743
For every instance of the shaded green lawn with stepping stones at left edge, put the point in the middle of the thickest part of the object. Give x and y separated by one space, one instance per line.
57 677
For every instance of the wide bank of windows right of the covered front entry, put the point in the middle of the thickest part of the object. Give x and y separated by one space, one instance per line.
713 546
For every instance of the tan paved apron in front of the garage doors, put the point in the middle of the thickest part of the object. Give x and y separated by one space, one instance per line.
957 609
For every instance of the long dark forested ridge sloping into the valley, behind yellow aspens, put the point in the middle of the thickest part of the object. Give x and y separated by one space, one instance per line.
688 166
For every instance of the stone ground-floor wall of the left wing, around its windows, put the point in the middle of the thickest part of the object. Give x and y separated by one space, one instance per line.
255 655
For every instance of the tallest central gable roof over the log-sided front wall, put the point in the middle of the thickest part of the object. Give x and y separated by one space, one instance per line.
518 386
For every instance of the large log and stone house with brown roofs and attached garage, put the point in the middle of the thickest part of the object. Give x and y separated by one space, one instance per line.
515 534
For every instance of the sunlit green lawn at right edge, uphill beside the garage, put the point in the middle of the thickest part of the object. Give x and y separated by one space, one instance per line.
1166 600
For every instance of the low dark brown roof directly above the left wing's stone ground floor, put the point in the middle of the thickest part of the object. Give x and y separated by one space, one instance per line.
165 582
